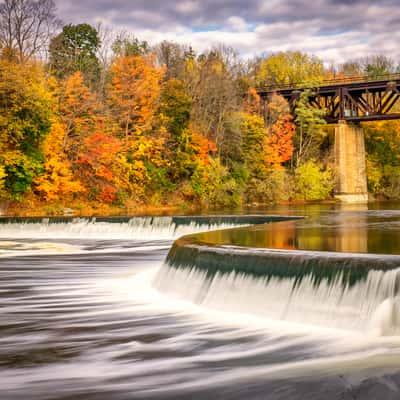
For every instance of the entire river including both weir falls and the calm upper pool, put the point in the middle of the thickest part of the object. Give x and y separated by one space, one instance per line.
89 309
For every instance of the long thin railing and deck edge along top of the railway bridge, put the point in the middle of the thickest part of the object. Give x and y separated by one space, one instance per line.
347 80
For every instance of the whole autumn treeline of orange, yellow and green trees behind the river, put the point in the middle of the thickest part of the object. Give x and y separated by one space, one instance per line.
93 119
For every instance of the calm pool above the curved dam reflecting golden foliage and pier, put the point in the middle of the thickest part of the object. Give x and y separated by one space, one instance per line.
352 229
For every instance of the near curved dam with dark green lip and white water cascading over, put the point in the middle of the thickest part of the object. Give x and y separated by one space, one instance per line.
342 290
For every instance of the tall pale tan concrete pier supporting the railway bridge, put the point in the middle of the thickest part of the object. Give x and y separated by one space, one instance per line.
351 177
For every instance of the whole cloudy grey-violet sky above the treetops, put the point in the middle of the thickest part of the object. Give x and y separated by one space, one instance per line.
334 30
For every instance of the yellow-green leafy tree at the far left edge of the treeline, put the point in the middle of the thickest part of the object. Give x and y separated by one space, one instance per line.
26 106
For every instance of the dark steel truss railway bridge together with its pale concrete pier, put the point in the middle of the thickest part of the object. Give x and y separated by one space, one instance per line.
347 103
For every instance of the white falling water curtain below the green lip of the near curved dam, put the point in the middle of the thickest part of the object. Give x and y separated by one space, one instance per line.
369 305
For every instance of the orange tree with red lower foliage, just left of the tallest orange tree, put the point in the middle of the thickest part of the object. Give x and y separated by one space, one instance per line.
89 141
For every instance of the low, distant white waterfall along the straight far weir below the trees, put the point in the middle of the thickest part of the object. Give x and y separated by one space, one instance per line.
136 228
